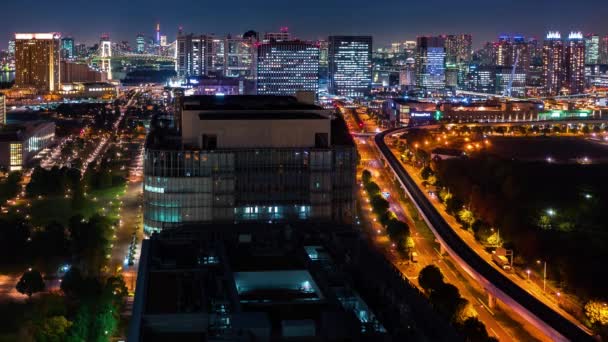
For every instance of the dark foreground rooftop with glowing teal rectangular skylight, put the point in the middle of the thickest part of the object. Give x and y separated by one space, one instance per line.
255 274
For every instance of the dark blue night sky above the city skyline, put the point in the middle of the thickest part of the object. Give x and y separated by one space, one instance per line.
386 20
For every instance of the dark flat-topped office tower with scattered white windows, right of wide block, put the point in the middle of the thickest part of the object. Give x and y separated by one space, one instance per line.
350 65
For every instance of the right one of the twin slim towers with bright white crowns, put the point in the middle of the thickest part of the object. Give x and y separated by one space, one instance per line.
574 63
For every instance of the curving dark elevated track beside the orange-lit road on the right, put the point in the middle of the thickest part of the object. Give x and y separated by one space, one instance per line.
534 311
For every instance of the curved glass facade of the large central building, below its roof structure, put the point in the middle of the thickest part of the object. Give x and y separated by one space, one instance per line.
276 184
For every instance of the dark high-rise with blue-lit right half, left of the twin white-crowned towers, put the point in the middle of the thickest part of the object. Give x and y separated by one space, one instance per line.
430 63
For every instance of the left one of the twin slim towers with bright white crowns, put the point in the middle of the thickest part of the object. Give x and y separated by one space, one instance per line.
553 63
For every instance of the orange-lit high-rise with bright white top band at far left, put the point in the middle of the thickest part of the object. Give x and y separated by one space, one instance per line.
37 57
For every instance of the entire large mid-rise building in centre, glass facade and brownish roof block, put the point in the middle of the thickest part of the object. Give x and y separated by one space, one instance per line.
249 159
